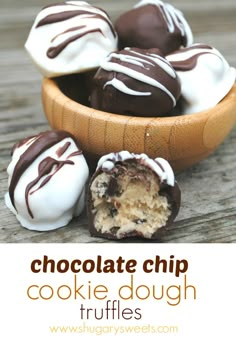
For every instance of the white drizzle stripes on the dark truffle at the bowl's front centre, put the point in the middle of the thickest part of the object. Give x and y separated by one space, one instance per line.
141 60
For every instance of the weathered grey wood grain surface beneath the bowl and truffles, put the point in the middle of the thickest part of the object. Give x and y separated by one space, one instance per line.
208 211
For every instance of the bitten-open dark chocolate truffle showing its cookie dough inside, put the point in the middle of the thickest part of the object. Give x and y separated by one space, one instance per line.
131 195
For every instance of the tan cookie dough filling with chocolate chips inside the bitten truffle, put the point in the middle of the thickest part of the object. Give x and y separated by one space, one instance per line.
128 199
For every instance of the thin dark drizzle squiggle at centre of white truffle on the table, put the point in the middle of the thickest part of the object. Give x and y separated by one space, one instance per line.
45 167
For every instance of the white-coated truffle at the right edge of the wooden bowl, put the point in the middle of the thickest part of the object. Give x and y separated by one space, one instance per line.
205 76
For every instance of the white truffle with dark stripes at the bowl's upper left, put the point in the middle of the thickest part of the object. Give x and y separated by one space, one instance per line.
70 37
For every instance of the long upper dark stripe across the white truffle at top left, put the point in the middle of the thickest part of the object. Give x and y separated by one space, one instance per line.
58 17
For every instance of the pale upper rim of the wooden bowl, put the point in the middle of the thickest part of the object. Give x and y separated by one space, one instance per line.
50 85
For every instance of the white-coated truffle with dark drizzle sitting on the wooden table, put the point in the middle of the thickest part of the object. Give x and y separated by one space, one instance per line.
47 177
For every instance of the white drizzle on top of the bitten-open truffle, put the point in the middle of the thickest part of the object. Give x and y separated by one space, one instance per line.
159 165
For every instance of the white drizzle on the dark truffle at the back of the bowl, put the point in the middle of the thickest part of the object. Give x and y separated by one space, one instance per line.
173 18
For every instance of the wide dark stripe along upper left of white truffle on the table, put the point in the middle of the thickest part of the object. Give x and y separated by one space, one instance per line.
44 141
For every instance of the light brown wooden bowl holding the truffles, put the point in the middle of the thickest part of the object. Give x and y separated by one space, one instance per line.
182 140
